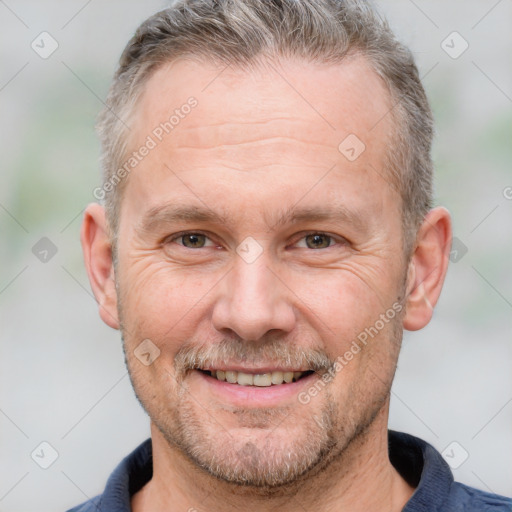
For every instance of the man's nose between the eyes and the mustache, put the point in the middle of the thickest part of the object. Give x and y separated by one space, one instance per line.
252 301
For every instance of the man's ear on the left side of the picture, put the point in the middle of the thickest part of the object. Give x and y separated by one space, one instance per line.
97 251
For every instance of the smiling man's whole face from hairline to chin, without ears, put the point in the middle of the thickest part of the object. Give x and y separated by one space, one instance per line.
255 255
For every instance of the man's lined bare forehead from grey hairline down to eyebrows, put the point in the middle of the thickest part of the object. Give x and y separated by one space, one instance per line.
288 124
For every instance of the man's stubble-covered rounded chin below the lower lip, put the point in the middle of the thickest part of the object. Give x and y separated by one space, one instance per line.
263 449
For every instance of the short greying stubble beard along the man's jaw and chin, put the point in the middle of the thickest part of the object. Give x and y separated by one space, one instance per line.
271 464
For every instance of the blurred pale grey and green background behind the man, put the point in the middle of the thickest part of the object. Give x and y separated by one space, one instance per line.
62 376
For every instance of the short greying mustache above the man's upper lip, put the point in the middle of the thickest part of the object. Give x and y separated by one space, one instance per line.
193 356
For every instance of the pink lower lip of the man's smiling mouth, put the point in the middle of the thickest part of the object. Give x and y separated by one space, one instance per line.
250 396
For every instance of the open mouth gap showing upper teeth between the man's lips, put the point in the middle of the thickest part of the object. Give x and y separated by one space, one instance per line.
257 378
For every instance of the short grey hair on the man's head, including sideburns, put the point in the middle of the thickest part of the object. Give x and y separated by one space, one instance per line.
241 32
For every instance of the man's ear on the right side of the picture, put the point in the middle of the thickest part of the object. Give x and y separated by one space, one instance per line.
427 268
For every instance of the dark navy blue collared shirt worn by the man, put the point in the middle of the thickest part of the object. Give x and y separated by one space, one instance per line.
419 463
